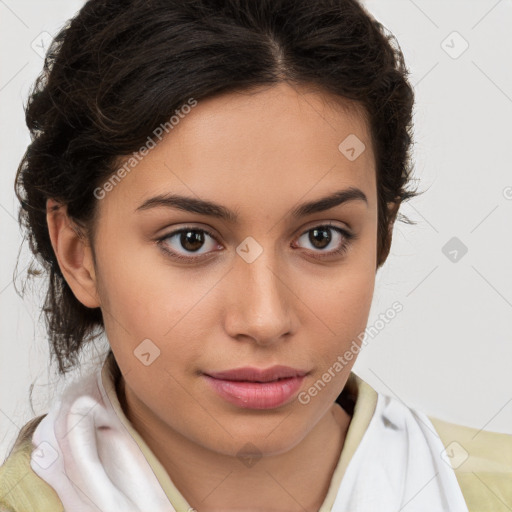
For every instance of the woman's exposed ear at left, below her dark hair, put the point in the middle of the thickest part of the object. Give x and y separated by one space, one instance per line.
73 253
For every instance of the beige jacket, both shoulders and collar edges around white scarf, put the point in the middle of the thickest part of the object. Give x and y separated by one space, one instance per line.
482 460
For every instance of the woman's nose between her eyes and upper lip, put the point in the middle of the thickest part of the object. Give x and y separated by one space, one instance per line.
261 306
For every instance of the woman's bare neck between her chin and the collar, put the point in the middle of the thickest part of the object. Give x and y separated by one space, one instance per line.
297 480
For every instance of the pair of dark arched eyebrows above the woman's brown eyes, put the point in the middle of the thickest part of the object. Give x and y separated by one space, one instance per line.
193 205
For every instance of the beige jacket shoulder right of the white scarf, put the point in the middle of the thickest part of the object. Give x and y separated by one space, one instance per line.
482 461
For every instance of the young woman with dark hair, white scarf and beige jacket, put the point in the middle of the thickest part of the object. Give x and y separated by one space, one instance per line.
213 185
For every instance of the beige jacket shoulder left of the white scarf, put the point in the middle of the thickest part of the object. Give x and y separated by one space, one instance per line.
21 489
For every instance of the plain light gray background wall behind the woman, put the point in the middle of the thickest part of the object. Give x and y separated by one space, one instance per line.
448 353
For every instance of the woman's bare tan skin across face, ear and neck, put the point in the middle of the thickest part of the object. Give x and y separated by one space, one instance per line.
260 154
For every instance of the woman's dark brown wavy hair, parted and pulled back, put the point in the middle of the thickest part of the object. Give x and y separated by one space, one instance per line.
120 68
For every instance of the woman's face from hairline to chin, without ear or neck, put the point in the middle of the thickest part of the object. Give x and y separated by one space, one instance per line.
272 283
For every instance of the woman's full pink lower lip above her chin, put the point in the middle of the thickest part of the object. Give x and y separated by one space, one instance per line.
256 395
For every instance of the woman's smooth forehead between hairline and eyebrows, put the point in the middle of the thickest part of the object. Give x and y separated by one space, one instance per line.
278 143
